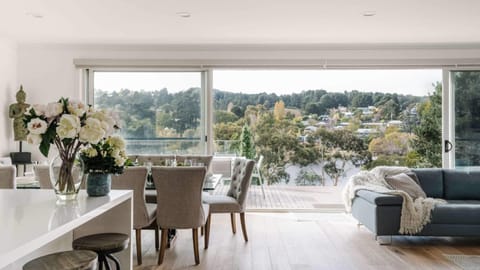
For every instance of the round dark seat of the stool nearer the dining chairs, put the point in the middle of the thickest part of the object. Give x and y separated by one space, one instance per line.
102 242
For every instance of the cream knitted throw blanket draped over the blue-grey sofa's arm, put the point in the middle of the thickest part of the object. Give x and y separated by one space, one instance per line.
415 214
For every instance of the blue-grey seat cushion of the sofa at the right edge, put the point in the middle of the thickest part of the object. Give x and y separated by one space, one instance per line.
457 212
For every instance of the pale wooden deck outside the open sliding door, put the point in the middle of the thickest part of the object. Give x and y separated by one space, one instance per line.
283 197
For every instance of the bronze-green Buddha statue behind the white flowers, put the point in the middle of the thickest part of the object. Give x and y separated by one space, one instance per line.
16 111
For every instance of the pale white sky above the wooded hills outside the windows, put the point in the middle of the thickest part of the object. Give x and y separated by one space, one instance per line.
412 82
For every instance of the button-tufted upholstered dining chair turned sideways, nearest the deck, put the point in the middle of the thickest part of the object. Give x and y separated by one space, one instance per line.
235 200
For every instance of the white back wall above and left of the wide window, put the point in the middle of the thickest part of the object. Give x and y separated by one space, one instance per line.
47 72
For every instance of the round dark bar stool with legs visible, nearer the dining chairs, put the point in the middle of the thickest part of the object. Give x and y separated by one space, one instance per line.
104 244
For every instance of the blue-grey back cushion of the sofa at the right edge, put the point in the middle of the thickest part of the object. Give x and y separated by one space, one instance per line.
462 185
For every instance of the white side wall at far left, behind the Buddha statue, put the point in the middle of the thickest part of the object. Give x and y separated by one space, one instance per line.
8 88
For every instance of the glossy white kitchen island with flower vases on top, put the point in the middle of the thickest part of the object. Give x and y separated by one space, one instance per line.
32 223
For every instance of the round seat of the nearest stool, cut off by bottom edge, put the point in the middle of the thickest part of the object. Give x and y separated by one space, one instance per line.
66 260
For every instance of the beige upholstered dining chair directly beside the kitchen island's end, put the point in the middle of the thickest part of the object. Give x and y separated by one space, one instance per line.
134 178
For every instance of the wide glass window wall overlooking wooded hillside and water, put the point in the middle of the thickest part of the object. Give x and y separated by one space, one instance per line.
312 127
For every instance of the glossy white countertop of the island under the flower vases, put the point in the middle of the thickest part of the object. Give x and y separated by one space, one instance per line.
31 218
